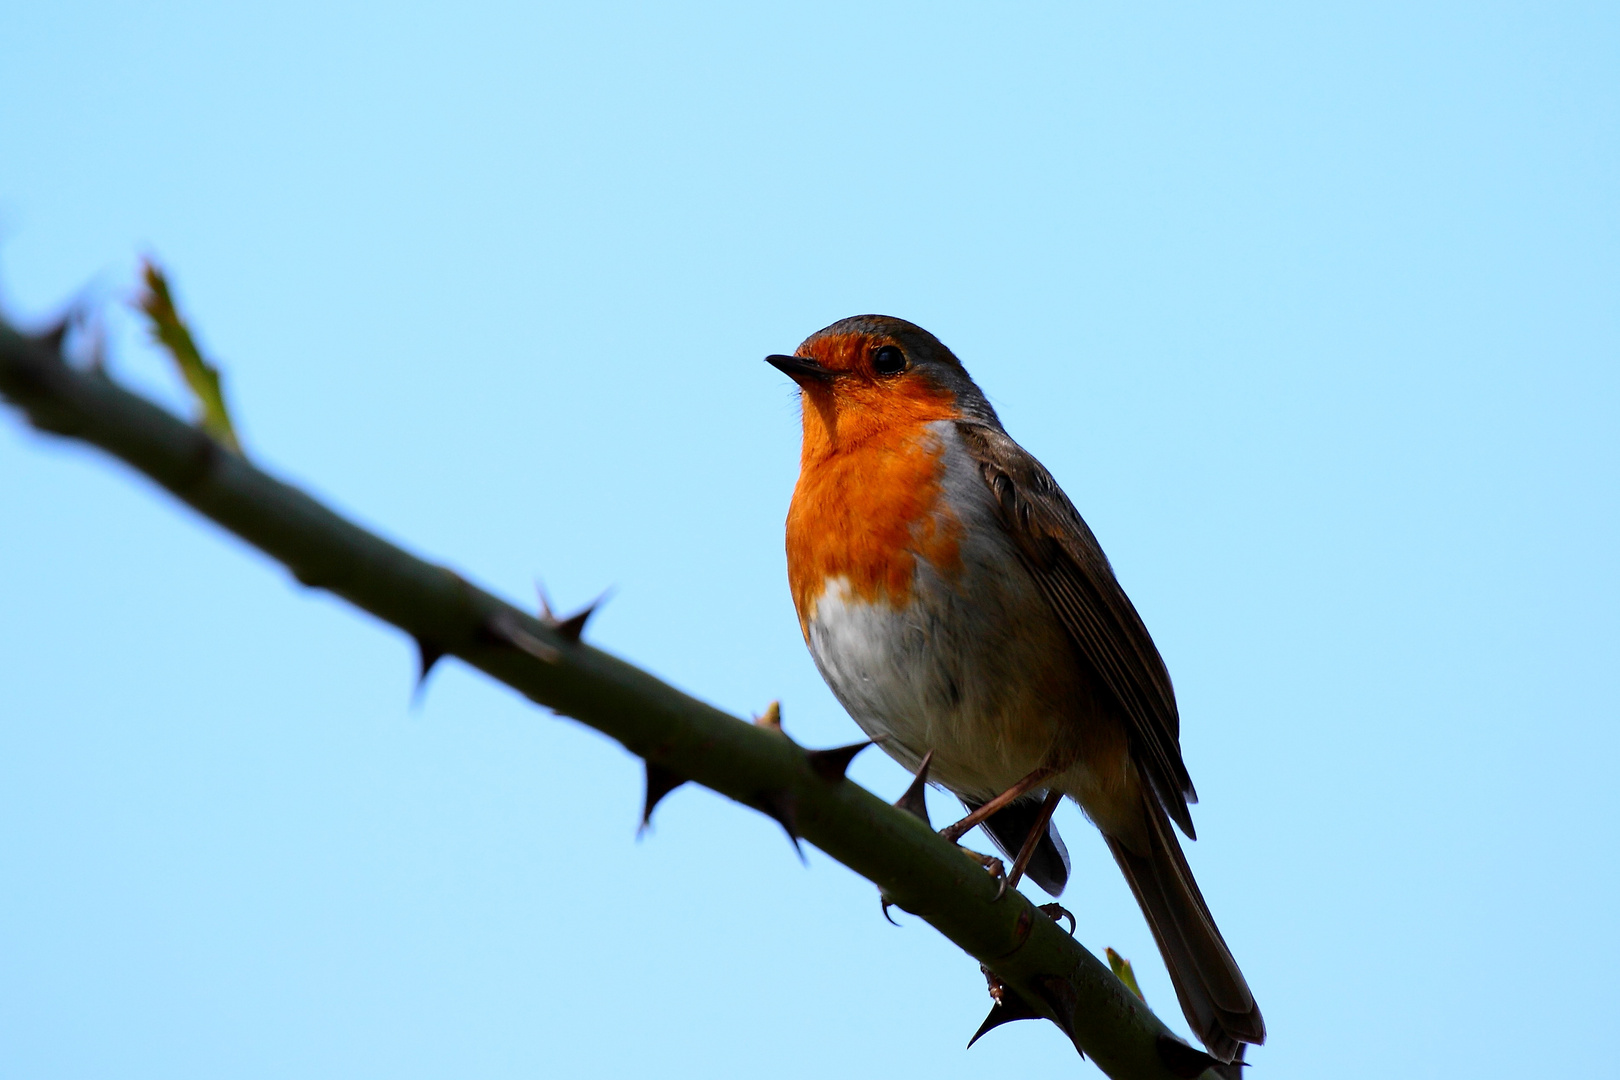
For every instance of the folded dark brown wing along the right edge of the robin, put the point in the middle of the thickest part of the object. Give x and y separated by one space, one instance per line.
1075 577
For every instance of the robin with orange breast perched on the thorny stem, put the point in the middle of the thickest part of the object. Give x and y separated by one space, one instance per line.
965 614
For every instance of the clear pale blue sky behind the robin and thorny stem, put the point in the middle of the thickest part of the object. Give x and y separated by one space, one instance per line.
1311 308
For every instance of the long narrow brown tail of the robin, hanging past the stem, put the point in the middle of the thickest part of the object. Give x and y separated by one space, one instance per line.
1211 989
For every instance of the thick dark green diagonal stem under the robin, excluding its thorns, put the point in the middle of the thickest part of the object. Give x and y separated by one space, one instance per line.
1044 969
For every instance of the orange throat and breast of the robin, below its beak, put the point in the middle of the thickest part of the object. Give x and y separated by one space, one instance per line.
869 504
